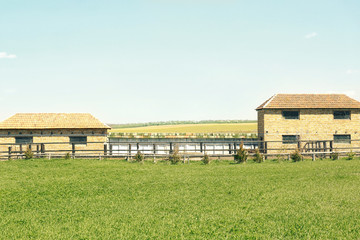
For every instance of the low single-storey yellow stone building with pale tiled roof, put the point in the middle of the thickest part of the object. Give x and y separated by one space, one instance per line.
56 132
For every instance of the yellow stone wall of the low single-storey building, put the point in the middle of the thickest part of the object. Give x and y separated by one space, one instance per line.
59 140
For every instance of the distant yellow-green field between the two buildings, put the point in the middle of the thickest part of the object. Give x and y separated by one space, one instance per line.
193 128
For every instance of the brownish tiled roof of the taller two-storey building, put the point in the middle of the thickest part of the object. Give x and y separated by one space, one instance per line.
301 101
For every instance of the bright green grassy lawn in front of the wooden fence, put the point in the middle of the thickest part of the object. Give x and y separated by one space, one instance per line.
113 199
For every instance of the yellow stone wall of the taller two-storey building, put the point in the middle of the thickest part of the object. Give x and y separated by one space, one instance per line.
314 124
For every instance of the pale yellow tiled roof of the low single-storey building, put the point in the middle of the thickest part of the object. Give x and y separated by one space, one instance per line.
52 121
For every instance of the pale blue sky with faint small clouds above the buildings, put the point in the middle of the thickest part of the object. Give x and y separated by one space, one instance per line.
160 60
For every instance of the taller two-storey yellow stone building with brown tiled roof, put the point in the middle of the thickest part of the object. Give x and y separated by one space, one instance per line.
311 122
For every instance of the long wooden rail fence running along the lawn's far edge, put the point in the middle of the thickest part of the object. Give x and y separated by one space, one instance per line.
194 149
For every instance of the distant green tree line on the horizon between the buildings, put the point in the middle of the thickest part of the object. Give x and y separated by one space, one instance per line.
134 125
